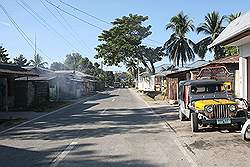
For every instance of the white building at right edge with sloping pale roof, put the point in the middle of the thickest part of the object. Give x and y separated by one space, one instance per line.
237 33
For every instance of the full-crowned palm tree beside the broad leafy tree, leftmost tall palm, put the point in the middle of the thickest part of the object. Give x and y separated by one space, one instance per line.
178 47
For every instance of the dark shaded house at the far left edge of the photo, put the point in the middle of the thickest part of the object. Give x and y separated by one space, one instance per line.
11 93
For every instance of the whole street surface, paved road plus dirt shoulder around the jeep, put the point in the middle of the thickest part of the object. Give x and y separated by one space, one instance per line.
119 128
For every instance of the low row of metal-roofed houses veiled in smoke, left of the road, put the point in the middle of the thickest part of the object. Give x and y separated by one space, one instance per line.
51 85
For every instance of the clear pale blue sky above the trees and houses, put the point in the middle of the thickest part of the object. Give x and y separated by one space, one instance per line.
56 38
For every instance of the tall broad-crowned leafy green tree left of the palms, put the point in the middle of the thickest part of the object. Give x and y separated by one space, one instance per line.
122 43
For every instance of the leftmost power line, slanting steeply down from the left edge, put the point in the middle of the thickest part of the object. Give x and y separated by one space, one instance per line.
22 33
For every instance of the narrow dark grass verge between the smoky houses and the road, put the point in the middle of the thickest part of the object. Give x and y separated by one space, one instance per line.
50 106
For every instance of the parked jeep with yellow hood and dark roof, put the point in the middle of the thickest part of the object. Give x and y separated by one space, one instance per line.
207 102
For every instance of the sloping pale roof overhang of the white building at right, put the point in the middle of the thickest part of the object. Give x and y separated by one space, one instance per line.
235 33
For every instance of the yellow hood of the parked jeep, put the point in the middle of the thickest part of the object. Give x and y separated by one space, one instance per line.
200 104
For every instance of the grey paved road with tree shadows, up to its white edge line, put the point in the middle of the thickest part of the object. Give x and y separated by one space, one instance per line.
115 128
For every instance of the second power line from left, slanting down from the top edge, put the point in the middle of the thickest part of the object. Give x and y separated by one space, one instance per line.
45 24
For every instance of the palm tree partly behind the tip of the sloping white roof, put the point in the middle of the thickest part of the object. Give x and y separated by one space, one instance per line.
212 27
